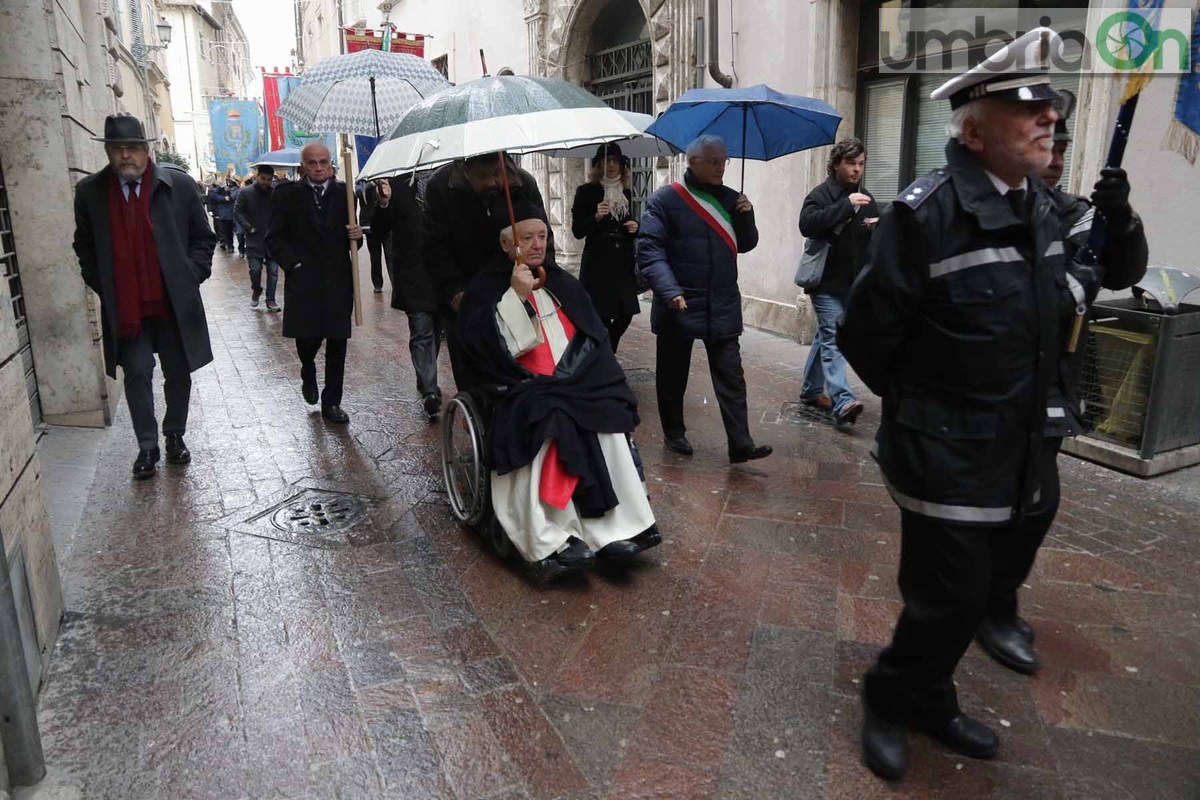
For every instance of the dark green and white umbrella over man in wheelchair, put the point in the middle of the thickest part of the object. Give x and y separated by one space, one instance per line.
514 115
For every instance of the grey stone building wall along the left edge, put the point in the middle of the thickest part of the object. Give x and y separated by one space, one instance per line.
64 68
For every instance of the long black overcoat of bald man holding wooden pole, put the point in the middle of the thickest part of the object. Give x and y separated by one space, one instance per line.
311 246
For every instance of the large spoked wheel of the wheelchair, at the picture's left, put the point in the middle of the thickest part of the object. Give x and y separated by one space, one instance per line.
463 460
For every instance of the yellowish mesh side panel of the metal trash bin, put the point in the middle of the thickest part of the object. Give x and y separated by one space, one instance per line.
1115 389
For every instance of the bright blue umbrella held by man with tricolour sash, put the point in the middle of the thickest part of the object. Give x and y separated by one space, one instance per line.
757 123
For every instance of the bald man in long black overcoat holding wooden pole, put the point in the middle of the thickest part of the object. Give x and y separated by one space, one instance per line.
310 237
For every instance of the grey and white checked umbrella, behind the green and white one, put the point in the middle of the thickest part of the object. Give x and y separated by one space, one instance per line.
362 93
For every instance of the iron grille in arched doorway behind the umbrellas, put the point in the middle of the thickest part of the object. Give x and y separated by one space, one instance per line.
623 77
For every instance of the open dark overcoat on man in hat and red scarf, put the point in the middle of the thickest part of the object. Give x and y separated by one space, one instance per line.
185 244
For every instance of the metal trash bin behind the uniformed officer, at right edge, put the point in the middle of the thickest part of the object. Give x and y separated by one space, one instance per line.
1142 376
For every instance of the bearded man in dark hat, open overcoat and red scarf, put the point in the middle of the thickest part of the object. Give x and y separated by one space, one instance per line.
145 246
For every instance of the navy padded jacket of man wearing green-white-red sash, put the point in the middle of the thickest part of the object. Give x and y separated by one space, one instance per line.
681 255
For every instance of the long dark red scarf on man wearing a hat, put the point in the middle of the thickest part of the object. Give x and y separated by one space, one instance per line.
136 270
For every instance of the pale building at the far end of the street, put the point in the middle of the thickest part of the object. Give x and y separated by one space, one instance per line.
209 59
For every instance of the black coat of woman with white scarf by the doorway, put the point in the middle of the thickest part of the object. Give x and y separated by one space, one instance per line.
607 269
